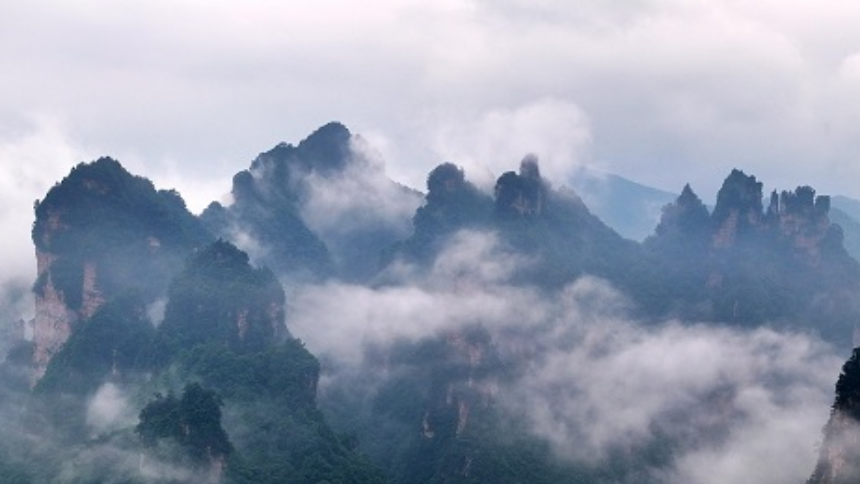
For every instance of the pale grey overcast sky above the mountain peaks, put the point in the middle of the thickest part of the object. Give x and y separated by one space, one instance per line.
660 91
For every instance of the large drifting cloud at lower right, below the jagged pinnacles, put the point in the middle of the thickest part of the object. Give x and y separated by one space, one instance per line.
737 399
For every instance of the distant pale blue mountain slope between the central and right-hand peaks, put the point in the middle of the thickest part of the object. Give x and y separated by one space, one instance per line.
631 208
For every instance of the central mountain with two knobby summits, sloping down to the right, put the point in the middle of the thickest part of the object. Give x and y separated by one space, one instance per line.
553 228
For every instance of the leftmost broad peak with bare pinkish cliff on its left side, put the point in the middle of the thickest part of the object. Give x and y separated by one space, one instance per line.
99 233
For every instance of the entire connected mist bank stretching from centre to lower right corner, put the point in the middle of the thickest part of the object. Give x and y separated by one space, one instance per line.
740 405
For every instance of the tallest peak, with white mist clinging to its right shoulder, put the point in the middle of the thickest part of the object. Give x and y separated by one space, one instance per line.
322 208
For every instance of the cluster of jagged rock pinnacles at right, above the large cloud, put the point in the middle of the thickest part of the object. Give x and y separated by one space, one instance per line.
746 265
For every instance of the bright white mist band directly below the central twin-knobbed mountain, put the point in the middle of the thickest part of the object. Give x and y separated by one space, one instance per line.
339 320
